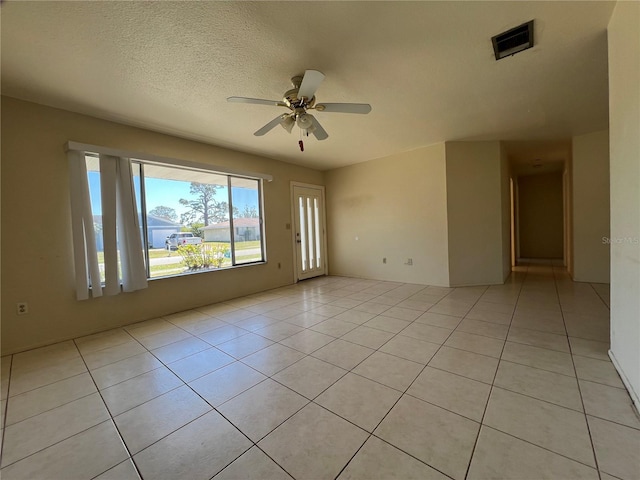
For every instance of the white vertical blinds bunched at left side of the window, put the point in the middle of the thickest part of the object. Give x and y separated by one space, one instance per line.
120 229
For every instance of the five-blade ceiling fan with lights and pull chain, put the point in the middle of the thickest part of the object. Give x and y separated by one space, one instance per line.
299 100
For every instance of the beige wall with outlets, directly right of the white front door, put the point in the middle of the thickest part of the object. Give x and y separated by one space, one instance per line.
393 208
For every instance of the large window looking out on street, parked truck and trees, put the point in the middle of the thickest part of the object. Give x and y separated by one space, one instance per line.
191 220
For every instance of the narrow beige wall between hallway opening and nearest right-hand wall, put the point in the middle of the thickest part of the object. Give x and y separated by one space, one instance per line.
591 207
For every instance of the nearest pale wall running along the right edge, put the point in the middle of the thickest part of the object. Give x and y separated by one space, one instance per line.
624 125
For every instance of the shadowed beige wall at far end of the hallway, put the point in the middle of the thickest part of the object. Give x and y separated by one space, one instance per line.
540 215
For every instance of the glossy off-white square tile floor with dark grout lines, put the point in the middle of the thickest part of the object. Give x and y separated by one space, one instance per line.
334 377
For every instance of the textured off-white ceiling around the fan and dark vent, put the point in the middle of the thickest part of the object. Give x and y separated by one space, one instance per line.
427 69
